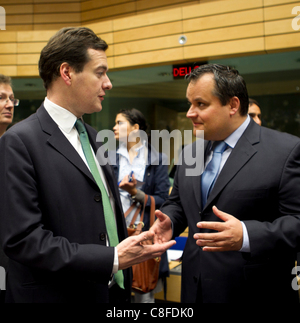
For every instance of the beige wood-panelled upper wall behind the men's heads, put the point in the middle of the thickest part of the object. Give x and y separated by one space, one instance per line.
148 36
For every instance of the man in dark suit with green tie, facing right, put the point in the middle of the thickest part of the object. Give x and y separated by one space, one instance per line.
53 222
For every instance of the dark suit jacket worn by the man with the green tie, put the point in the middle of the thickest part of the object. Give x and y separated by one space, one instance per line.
52 222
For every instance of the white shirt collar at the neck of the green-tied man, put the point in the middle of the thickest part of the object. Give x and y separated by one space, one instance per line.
61 116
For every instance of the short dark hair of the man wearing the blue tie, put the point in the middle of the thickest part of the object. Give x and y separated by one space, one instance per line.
228 83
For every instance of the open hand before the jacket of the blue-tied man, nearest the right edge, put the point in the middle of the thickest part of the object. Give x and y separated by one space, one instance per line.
228 238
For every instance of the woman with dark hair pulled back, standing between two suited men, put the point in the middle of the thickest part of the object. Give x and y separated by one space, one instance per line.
148 175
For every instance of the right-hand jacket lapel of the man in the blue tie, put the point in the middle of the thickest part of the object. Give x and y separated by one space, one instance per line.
240 155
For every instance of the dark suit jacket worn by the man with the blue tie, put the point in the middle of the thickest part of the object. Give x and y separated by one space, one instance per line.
260 185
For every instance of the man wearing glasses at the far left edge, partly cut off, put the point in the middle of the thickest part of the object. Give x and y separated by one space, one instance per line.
7 103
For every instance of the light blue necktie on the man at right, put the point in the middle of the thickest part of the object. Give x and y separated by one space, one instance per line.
211 171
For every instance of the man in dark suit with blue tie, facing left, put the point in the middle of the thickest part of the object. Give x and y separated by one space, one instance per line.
243 239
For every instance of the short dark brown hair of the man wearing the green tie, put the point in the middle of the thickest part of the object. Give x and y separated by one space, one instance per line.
68 45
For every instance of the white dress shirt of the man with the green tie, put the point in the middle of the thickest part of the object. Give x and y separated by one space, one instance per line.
66 123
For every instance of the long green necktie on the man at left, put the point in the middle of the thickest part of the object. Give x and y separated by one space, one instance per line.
107 209
